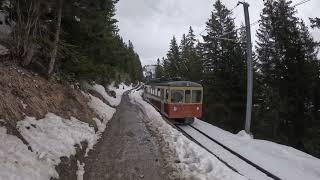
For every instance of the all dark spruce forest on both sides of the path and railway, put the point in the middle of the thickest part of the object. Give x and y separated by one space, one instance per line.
79 40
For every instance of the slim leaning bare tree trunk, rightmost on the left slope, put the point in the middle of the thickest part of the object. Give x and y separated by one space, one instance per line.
56 41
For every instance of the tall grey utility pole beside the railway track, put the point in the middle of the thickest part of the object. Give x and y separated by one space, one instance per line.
249 67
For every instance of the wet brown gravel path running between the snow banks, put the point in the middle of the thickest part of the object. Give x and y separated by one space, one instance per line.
127 150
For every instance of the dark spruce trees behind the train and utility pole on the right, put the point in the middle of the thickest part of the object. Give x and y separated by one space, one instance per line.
286 102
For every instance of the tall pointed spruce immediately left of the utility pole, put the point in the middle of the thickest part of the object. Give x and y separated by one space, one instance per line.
224 69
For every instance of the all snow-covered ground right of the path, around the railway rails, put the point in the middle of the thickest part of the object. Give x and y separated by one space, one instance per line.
284 162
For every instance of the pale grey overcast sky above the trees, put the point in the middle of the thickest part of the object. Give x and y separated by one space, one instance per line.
151 24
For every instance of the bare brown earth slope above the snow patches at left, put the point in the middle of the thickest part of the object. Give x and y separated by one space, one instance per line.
24 93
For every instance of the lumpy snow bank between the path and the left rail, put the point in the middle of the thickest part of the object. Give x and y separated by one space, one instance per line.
195 162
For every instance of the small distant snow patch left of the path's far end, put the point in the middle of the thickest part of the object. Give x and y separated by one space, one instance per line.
119 92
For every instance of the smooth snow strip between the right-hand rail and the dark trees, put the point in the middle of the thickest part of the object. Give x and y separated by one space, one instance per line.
283 161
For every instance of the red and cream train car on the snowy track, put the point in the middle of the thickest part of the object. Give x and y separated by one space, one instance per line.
180 101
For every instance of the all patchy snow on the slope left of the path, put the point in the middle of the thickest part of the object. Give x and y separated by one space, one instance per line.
51 138
